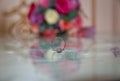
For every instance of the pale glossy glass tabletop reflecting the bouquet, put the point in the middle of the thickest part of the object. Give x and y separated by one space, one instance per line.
96 60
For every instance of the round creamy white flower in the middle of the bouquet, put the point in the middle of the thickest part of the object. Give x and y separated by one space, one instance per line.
51 16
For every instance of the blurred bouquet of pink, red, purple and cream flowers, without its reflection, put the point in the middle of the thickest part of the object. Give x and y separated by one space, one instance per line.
51 18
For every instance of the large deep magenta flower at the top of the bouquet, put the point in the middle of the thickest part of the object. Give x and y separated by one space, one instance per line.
62 6
